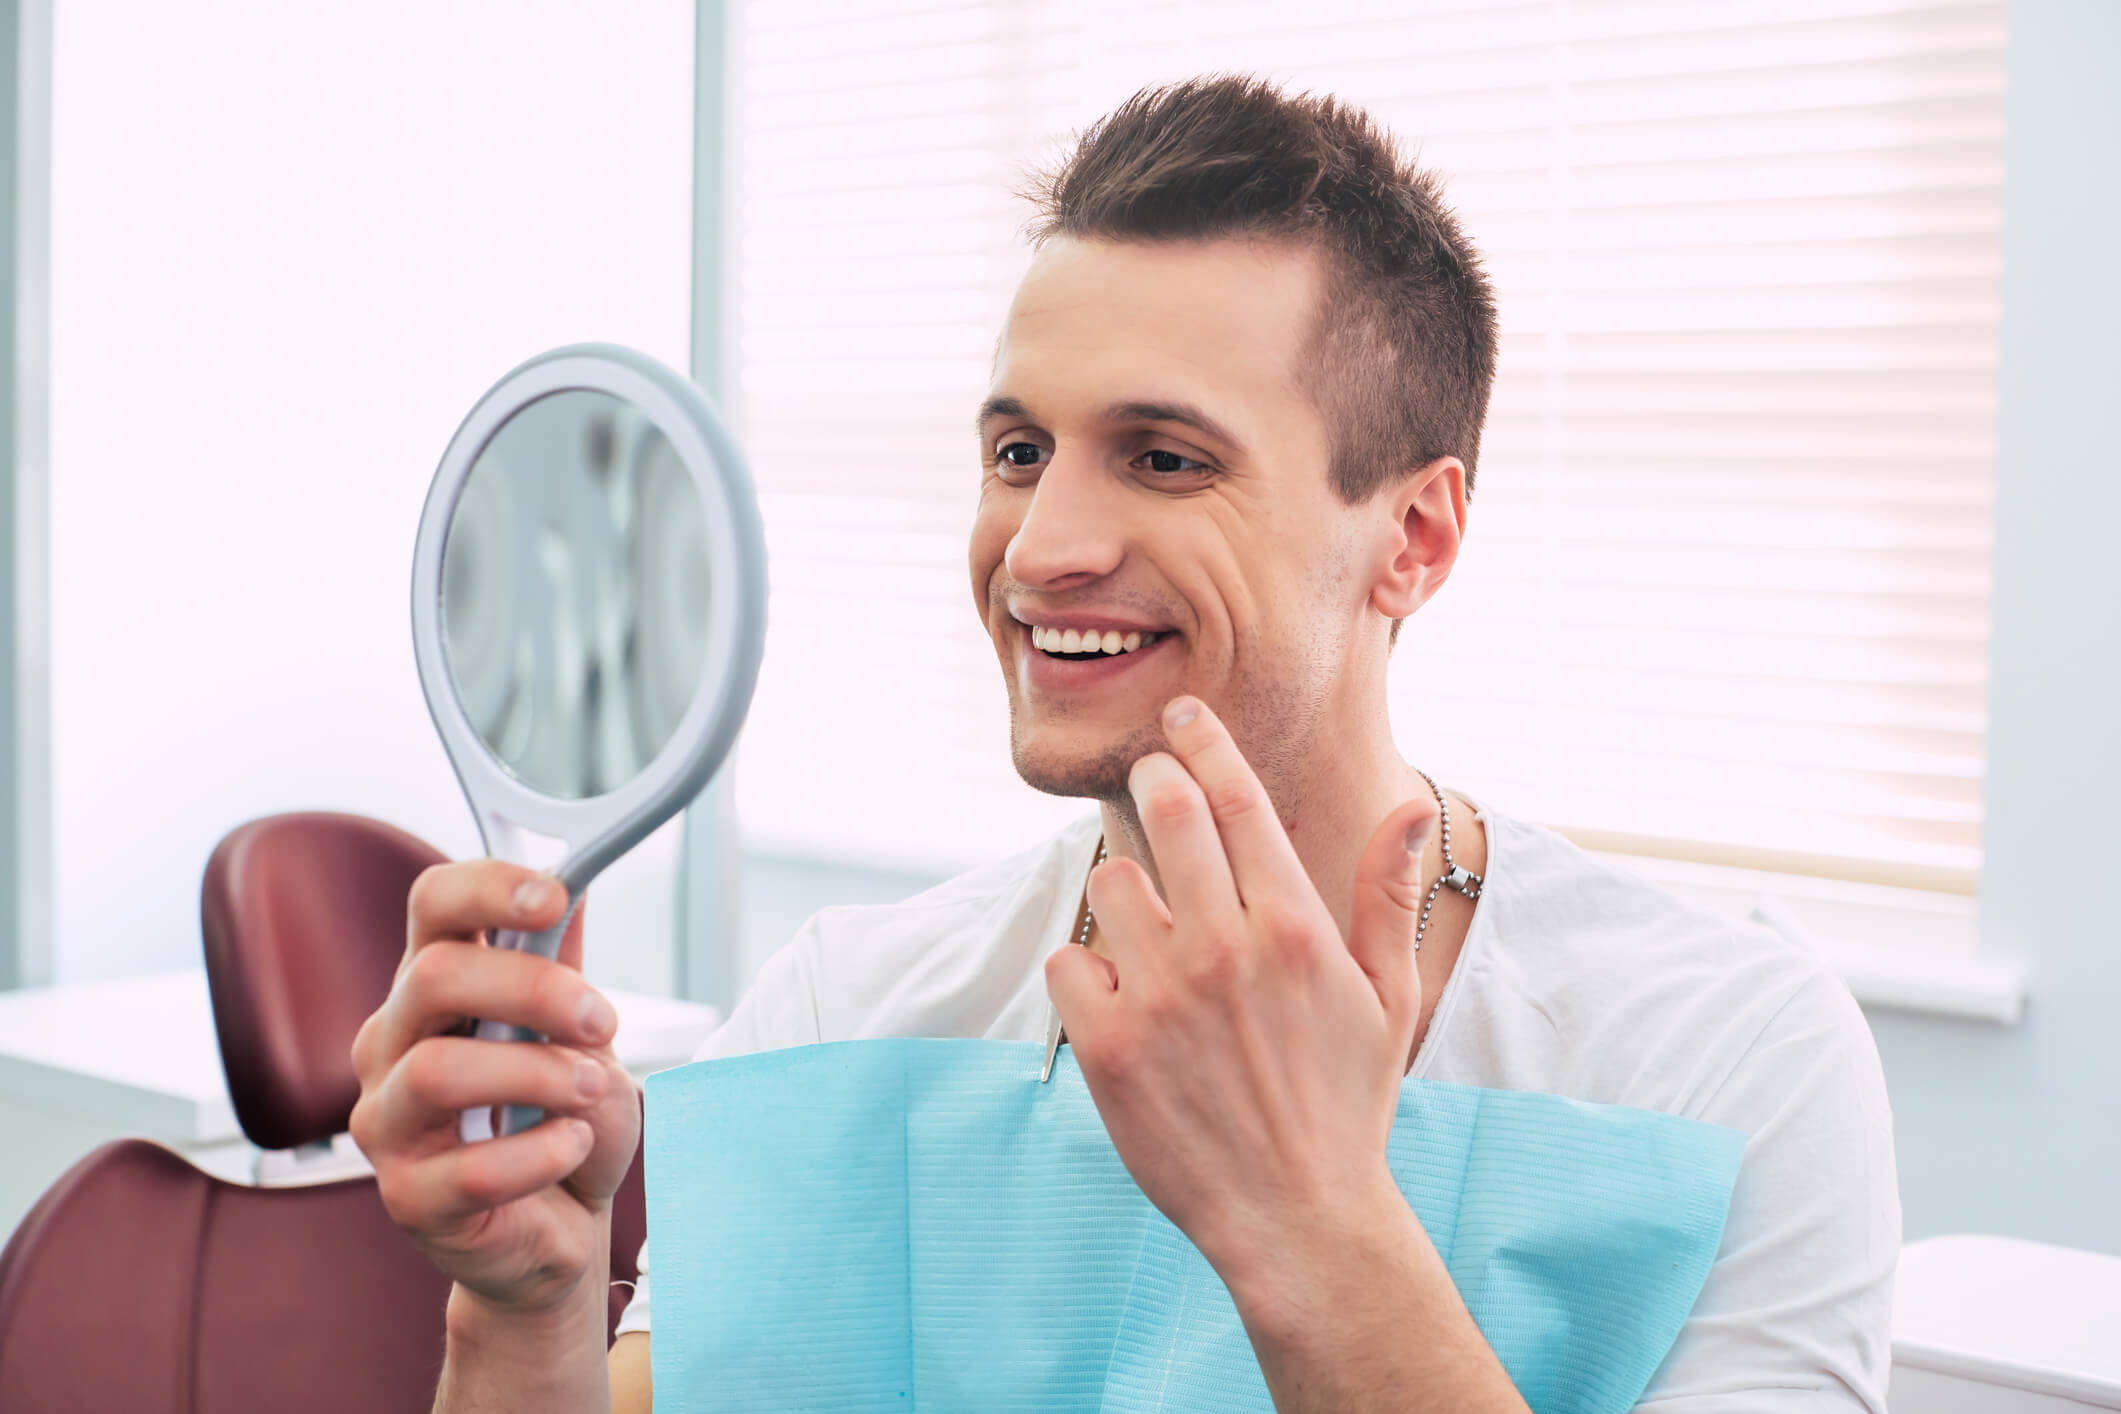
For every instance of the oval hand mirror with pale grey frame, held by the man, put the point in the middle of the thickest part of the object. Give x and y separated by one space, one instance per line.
589 609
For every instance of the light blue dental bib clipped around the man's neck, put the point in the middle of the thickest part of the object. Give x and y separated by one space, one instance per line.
924 1226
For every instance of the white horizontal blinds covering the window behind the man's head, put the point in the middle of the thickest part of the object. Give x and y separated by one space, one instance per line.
1728 576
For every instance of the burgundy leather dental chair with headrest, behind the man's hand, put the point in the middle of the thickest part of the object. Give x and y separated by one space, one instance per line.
147 1286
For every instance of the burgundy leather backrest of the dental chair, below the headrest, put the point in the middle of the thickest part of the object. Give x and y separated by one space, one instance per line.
141 1284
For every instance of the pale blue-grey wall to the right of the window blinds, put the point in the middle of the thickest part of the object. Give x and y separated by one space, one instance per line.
2020 1131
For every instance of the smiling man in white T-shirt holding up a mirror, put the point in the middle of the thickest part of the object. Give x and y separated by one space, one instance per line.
1227 450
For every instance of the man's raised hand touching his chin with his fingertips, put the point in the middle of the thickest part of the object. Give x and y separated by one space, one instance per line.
1244 1057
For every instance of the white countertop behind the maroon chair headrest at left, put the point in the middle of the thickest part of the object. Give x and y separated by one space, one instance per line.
141 1053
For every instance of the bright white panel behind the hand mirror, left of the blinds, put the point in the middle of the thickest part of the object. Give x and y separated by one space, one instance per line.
292 245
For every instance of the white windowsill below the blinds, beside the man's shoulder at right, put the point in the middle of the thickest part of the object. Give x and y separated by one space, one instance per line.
1899 949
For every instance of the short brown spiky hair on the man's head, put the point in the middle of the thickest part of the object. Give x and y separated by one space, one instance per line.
1405 340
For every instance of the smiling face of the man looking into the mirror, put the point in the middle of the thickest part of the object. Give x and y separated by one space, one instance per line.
1157 478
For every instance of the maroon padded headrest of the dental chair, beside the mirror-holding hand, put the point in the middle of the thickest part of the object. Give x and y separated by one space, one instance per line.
304 925
